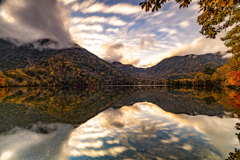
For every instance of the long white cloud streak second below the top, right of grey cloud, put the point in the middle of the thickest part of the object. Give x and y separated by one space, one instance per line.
115 21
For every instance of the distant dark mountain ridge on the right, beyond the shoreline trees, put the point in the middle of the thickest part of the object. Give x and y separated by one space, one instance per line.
177 67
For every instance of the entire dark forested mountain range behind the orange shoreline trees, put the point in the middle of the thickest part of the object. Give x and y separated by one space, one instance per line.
30 55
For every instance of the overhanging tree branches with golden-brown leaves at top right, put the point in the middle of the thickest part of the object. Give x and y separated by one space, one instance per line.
216 15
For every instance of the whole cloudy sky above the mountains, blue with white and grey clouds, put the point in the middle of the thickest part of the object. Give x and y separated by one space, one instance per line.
114 30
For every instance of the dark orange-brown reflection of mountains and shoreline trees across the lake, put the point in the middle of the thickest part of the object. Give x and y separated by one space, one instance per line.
77 105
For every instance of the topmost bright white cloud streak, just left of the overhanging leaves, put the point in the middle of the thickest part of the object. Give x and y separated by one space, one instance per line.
120 8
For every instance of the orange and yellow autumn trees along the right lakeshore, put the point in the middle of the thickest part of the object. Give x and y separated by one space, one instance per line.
226 76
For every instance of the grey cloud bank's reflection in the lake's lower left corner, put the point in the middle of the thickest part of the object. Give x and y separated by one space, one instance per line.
32 143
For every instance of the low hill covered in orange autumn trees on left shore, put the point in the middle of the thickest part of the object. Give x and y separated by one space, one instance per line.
55 71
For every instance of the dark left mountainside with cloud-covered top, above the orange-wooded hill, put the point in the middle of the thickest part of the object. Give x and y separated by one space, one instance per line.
29 55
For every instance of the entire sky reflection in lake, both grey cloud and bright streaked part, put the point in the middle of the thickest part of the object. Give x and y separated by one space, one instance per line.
142 130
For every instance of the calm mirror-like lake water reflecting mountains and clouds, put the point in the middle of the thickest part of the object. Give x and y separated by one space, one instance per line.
118 123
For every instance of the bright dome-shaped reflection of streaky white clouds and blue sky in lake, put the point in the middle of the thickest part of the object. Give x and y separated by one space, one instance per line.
146 131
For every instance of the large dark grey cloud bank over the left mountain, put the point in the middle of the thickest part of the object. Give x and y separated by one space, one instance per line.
32 20
